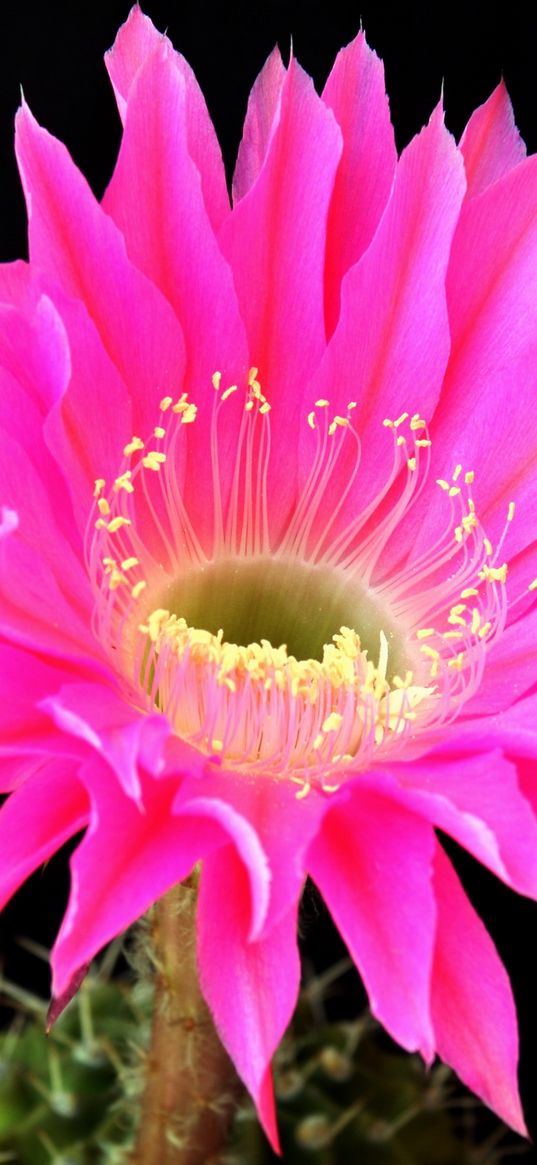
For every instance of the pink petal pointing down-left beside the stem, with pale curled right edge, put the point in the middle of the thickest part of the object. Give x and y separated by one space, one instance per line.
131 856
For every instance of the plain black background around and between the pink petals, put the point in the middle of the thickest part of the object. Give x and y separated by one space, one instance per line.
56 55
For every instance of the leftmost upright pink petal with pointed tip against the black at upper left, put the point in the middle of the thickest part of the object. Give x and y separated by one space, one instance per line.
73 239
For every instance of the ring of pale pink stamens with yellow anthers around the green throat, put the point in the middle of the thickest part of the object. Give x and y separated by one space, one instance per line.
256 705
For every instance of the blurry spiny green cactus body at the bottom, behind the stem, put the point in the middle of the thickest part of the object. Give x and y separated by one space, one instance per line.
345 1093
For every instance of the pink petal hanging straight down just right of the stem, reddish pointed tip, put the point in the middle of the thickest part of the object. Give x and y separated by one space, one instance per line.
251 987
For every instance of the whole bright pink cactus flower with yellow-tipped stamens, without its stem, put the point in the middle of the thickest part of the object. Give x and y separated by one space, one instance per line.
302 421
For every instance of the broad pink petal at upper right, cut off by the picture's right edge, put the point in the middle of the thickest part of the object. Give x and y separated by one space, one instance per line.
494 352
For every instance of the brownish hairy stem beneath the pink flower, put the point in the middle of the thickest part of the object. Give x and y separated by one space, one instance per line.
190 1086
